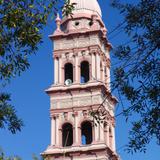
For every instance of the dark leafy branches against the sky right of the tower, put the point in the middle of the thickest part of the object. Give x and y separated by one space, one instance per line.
137 77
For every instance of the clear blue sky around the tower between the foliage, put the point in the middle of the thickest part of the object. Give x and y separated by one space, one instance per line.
32 103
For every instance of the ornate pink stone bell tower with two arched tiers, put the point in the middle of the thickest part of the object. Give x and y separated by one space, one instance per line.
81 86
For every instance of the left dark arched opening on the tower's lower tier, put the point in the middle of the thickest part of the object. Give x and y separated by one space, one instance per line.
67 135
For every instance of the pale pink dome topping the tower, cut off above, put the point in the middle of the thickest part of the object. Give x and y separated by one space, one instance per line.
87 7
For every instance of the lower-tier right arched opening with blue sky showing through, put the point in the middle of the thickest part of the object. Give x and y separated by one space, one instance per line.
86 133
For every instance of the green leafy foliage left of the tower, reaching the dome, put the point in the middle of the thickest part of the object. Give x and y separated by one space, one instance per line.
21 28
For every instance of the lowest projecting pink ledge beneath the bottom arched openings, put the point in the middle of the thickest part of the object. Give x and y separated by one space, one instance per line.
89 152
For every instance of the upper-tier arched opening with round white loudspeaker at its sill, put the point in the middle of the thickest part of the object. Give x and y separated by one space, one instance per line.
68 71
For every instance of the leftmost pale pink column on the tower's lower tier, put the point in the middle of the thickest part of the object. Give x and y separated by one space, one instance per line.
53 131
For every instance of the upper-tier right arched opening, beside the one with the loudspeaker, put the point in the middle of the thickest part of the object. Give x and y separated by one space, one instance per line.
84 72
